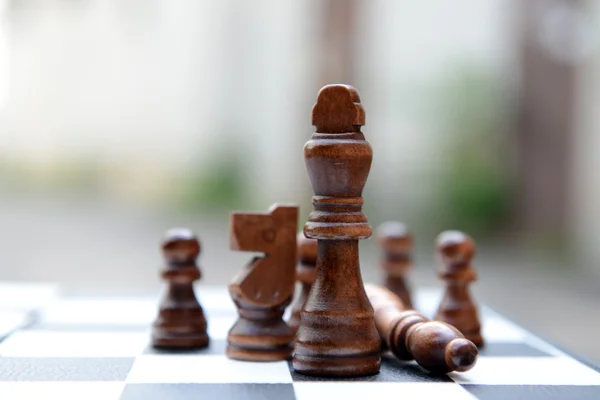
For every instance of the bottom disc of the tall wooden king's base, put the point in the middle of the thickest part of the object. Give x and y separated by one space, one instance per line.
337 366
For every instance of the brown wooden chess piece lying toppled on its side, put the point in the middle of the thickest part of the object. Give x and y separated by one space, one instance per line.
434 345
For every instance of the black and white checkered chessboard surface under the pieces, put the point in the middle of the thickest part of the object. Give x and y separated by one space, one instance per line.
57 347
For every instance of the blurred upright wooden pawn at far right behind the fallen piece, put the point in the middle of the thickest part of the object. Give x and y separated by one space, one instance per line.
455 251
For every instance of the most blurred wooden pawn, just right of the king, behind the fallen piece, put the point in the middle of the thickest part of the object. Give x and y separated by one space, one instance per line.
396 244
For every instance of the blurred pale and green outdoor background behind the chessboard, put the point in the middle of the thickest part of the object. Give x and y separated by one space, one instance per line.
120 119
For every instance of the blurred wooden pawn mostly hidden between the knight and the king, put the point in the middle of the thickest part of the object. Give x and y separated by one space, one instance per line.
305 273
